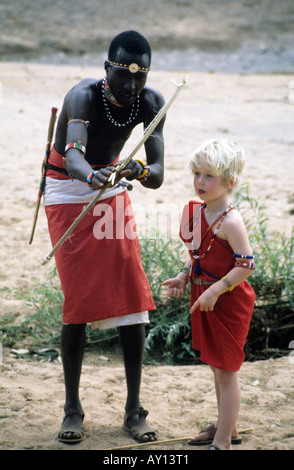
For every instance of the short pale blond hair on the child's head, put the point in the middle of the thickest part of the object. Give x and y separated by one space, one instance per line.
225 159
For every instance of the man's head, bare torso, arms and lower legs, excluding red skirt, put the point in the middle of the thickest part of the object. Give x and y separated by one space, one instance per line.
96 120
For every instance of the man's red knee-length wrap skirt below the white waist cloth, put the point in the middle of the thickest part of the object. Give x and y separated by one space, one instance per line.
100 278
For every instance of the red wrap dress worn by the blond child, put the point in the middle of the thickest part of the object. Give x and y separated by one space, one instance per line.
220 335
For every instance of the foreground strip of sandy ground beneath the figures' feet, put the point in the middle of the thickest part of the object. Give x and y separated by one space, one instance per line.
180 401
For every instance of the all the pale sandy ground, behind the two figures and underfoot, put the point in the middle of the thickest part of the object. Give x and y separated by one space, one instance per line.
253 109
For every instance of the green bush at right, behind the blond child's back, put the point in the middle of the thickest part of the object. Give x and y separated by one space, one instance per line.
272 324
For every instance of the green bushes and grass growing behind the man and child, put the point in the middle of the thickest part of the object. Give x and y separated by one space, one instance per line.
169 335
